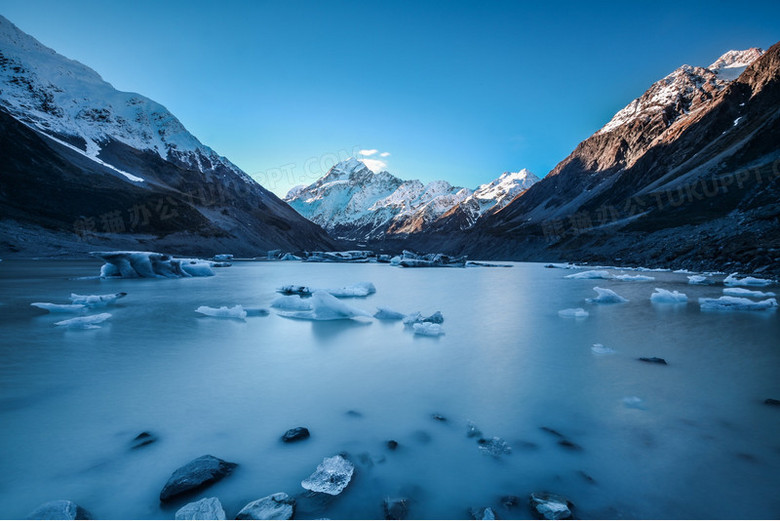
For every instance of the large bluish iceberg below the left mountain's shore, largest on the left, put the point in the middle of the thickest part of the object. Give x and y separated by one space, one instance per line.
134 264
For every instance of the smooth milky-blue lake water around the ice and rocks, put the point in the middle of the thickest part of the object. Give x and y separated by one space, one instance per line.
700 444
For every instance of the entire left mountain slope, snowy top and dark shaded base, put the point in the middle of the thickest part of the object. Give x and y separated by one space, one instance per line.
89 167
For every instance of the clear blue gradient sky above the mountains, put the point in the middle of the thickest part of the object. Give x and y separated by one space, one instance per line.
461 91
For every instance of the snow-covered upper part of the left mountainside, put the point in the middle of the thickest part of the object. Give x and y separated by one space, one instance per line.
64 98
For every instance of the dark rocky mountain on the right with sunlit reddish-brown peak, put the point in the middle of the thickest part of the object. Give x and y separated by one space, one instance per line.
686 174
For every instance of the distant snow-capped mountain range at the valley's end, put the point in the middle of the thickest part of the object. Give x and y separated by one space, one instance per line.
352 202
